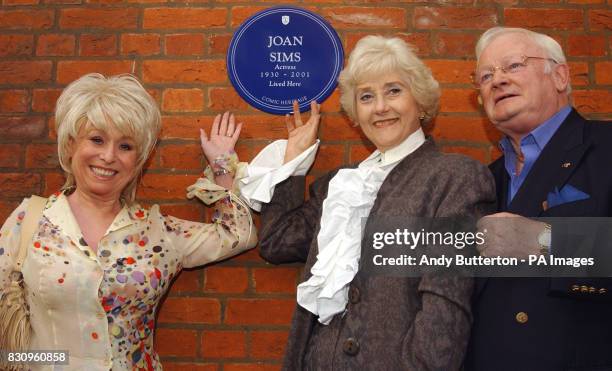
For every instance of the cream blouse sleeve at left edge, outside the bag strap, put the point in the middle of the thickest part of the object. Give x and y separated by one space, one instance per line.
9 243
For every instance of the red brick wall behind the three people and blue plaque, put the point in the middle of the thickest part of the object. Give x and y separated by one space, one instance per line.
235 315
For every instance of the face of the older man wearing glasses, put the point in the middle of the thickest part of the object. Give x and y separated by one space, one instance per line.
518 102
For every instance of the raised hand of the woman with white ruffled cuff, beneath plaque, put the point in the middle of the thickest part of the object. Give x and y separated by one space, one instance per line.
301 135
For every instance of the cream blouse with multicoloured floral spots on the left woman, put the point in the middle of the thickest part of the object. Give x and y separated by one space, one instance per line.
101 306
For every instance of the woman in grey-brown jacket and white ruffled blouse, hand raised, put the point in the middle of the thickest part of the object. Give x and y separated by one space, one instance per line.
345 318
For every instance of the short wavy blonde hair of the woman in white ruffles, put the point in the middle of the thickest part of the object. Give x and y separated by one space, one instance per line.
375 56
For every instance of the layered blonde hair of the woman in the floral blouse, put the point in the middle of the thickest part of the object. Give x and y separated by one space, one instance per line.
97 102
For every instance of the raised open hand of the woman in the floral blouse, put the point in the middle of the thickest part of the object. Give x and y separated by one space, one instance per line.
223 136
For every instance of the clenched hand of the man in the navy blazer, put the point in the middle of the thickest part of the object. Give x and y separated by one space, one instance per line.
509 235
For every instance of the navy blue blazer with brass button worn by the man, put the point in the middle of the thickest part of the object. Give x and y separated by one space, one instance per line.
550 323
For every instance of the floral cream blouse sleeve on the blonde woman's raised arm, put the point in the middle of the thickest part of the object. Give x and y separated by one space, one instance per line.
231 231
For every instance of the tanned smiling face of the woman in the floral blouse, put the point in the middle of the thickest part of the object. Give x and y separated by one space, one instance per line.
103 162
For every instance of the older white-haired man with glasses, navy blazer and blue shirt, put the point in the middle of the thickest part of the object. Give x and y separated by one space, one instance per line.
554 164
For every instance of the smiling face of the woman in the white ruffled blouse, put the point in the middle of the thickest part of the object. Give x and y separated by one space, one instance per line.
386 110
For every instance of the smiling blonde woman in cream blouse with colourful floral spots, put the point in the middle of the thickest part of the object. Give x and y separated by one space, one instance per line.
99 263
